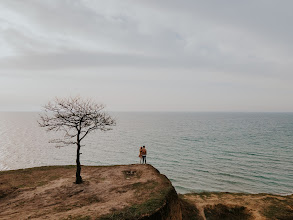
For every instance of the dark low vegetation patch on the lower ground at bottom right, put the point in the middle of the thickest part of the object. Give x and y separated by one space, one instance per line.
220 211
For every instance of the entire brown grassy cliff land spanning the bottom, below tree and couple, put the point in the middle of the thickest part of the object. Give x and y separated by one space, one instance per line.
130 192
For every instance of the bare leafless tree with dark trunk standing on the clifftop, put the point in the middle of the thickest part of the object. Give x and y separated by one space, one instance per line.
76 118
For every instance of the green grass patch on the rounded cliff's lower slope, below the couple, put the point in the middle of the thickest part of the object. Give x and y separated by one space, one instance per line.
138 210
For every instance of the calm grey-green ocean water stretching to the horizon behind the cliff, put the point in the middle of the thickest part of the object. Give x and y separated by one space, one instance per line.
235 152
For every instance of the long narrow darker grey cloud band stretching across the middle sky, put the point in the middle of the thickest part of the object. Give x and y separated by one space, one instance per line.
83 59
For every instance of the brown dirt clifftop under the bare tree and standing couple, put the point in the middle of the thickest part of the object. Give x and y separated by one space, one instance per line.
50 192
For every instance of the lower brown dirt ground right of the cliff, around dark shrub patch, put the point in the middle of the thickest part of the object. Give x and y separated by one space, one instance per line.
259 206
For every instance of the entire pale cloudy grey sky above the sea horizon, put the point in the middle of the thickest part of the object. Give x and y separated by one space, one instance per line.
148 55
